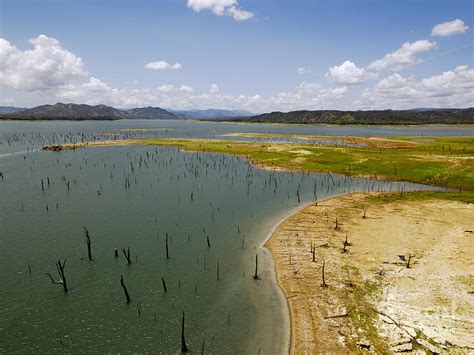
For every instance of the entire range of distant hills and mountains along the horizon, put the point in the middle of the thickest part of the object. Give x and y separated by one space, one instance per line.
61 111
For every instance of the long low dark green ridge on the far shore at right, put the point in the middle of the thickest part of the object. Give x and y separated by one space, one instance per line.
439 116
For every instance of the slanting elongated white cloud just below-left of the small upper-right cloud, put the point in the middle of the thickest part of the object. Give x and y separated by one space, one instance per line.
402 57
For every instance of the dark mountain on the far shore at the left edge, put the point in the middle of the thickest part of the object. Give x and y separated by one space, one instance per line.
62 111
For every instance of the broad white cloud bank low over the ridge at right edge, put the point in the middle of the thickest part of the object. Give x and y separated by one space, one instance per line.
453 88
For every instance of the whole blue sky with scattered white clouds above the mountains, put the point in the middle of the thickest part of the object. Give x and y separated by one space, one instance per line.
255 55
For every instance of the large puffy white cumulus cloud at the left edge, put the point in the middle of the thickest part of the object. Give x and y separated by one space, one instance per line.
46 66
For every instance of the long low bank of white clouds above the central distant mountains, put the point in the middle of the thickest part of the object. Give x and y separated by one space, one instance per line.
306 95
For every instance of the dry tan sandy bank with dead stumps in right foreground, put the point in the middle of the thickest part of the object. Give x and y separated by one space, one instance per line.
373 301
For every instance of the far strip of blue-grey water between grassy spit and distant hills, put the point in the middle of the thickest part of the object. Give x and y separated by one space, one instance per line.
16 135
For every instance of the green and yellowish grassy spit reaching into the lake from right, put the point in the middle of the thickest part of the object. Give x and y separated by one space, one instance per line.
439 161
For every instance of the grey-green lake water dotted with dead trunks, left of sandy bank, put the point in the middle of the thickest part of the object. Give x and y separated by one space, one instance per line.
132 197
